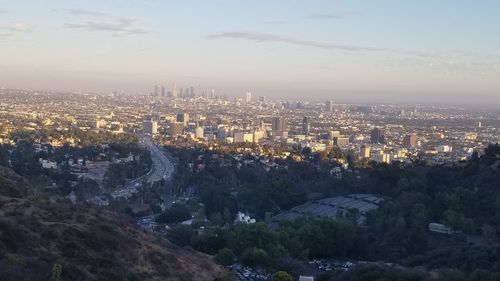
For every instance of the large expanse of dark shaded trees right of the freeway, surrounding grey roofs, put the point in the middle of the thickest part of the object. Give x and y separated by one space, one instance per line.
464 196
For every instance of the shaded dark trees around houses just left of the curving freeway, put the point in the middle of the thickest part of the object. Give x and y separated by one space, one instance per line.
24 160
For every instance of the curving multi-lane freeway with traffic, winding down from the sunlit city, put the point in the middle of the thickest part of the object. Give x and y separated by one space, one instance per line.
161 168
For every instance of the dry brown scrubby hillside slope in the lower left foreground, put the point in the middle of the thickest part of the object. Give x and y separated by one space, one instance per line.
89 244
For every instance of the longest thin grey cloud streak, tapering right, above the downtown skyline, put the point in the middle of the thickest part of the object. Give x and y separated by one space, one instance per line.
269 37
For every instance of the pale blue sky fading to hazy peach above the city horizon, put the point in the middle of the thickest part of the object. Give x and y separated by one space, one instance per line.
426 51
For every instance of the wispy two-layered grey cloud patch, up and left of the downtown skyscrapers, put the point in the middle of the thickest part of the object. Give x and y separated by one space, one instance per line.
104 22
